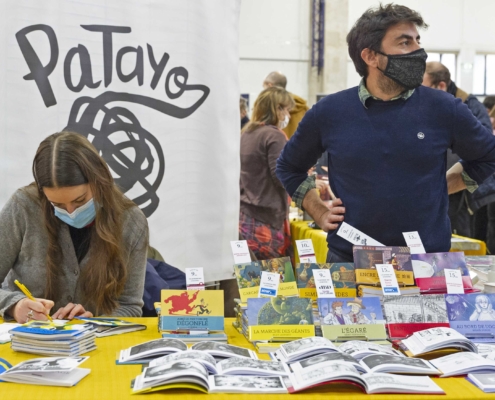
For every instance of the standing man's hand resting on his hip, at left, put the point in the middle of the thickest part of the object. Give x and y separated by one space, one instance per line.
327 217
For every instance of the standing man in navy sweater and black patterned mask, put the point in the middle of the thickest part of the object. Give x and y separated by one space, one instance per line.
387 141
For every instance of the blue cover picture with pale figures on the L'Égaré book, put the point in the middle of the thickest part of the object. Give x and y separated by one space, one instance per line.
350 311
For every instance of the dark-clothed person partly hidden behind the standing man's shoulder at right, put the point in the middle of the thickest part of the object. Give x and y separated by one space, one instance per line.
463 206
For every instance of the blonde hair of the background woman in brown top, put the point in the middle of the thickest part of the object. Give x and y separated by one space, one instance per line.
266 106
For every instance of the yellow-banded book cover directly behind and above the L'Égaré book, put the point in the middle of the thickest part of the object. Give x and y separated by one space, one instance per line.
343 277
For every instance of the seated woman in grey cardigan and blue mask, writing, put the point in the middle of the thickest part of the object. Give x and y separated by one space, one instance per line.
72 238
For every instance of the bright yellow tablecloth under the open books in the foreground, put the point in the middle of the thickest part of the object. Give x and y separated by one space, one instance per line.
108 381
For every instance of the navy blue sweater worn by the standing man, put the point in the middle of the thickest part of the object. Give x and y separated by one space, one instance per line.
387 162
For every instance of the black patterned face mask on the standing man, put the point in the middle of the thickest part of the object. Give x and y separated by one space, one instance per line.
406 69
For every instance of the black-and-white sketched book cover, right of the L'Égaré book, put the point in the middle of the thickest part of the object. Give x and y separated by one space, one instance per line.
415 309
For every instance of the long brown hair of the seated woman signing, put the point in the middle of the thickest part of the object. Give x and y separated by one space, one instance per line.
69 159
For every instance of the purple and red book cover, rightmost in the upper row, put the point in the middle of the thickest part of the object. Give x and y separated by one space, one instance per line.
429 270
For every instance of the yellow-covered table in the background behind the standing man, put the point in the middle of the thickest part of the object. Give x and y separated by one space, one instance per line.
301 230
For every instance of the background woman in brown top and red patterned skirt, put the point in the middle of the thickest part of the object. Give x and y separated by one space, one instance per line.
264 201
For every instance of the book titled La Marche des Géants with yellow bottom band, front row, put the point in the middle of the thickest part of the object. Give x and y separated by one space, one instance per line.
289 317
